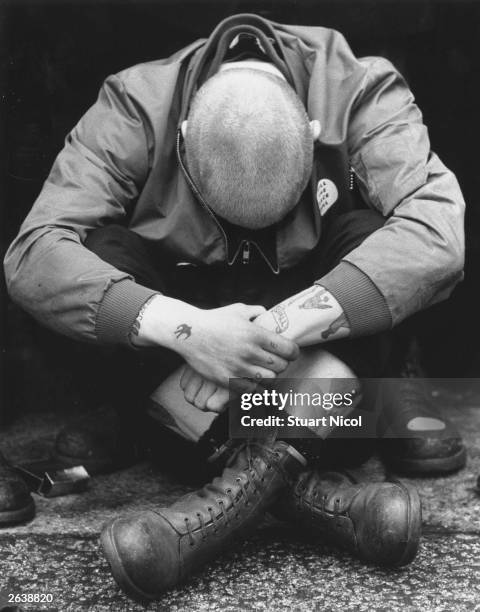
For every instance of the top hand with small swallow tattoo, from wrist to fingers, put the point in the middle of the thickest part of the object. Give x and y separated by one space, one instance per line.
224 344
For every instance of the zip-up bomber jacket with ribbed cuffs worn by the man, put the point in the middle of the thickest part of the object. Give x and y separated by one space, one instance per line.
123 163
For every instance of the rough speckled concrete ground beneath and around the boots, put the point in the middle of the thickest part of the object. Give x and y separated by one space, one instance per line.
276 569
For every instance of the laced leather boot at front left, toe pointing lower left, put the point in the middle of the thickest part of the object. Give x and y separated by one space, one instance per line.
151 551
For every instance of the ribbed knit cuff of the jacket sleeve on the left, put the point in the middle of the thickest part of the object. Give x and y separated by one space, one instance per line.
119 310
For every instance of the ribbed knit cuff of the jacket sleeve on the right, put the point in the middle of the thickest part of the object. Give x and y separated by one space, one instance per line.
363 304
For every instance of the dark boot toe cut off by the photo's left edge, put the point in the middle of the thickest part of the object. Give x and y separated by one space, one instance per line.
16 503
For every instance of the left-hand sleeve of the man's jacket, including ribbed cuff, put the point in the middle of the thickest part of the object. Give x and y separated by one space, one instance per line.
94 181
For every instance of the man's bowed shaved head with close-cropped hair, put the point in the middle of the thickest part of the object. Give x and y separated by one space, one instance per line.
249 146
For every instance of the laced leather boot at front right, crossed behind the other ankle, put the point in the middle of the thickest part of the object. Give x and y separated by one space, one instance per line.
378 522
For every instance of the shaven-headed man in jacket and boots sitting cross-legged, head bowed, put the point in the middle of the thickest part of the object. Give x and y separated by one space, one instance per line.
261 204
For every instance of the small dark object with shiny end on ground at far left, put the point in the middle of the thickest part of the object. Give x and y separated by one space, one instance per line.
52 480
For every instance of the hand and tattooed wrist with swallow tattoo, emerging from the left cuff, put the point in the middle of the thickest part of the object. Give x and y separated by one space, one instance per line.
219 344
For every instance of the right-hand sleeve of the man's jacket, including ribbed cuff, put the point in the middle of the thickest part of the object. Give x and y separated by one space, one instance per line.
417 257
